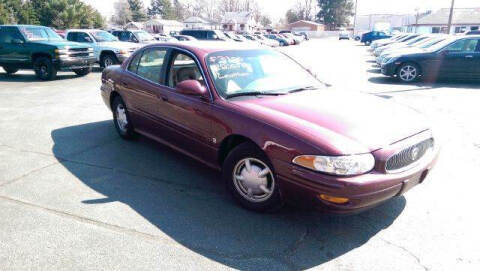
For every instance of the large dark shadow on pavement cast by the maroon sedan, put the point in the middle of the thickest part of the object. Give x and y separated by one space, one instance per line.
187 201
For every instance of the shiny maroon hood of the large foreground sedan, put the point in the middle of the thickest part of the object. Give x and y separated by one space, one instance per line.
338 122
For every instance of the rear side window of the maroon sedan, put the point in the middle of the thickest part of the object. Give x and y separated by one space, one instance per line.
151 64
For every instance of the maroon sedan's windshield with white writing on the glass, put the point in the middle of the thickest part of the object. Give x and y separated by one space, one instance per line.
257 71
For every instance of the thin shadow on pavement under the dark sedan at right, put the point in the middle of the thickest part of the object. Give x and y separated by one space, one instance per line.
427 84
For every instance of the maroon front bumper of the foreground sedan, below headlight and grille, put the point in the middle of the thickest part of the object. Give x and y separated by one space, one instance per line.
302 186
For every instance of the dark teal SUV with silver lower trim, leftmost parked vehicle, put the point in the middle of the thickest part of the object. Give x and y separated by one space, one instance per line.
41 49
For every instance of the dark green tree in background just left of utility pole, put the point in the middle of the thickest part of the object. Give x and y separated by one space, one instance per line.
335 13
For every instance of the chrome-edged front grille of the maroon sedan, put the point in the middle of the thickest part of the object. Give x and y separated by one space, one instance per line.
409 156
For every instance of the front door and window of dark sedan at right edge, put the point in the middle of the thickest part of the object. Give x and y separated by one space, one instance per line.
459 59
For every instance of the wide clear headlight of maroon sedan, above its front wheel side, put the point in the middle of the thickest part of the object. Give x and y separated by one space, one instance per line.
337 165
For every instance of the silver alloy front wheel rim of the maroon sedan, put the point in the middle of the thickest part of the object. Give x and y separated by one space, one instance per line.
253 180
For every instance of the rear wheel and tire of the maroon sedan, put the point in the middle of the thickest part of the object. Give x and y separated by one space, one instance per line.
121 121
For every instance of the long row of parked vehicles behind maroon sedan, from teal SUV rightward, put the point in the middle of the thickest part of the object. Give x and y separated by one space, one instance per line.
48 51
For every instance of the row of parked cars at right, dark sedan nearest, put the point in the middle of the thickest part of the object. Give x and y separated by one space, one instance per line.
410 57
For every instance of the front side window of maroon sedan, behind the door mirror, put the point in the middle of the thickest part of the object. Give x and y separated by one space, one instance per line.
184 68
